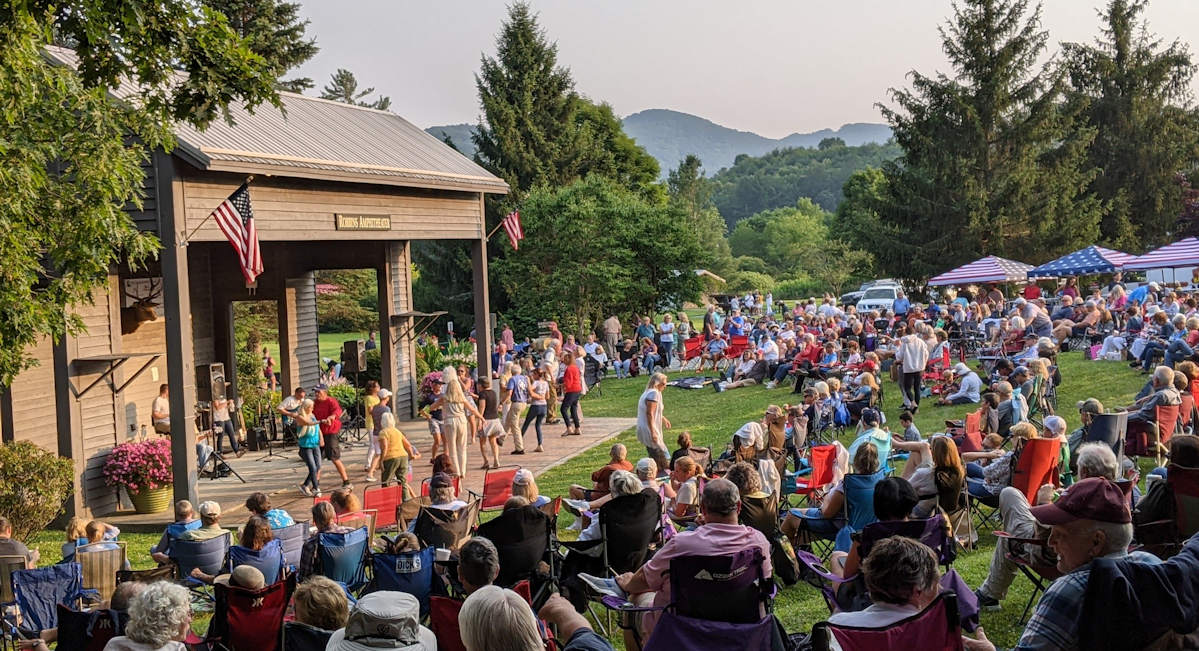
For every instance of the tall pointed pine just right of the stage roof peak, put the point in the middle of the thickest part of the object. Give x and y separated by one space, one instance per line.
528 135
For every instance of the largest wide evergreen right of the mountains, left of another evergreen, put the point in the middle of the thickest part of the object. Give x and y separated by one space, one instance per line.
993 164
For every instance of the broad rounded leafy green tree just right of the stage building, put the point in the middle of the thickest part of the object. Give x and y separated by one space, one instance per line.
593 249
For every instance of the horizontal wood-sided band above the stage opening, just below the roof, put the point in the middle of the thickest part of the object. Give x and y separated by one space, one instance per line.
293 210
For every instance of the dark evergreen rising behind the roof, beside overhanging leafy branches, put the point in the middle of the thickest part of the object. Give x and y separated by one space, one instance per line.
273 31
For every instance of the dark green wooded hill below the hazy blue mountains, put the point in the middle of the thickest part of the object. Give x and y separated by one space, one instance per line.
781 178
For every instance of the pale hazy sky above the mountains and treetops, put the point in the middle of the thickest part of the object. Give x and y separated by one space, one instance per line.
770 67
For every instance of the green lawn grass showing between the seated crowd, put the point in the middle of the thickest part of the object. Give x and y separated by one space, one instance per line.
713 419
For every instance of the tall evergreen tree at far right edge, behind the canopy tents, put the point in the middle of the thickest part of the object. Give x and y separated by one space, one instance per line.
1136 95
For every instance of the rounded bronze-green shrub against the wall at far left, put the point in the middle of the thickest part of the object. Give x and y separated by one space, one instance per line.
34 485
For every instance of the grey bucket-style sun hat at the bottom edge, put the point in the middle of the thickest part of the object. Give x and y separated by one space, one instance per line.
384 620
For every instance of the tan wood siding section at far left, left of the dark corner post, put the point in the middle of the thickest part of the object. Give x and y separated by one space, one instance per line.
33 400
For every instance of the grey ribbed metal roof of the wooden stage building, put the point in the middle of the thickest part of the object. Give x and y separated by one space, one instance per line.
318 138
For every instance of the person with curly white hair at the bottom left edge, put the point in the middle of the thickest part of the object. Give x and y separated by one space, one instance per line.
160 619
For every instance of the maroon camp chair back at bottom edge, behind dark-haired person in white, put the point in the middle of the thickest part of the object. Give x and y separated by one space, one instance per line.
936 629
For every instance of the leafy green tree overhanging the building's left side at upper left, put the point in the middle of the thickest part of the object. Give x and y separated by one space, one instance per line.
71 156
